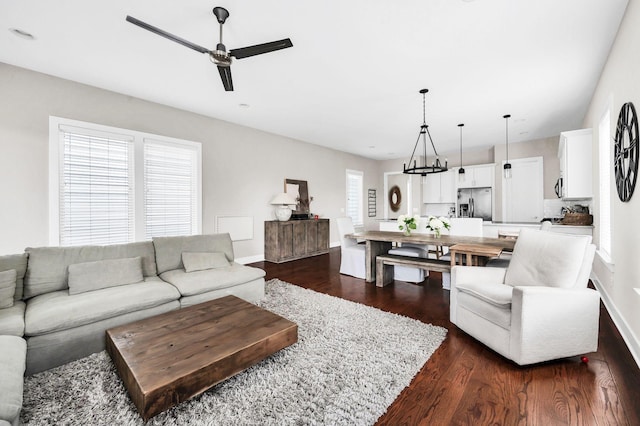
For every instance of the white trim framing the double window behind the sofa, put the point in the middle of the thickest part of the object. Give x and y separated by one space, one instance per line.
139 138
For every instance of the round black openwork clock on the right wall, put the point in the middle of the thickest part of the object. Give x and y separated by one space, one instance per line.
625 155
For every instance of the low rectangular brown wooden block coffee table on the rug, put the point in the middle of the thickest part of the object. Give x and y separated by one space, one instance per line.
169 358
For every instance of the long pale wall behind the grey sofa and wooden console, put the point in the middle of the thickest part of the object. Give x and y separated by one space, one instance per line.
243 168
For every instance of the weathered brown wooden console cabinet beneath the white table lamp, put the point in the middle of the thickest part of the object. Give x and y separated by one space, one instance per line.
295 239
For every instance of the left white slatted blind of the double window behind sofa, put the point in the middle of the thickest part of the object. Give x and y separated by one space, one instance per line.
96 188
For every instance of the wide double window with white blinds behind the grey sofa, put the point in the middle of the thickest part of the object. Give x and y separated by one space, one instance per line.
110 186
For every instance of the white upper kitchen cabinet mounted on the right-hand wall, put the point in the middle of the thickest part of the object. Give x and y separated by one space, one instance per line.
574 153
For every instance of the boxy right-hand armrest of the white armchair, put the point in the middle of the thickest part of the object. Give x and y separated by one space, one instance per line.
566 320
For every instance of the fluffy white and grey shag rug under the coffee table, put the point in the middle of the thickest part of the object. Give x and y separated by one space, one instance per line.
350 363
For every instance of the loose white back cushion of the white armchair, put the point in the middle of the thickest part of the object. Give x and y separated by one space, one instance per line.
548 259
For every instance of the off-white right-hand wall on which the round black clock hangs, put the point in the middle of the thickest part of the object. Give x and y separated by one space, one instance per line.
619 82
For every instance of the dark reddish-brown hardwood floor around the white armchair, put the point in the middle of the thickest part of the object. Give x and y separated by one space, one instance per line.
465 383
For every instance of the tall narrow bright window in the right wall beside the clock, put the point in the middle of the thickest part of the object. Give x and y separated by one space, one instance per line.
604 220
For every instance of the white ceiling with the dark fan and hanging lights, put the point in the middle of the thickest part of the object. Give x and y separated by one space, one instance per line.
351 80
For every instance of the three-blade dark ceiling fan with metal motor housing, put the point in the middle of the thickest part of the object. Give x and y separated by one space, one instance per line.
219 56
